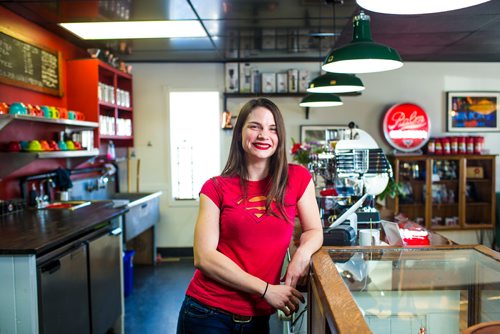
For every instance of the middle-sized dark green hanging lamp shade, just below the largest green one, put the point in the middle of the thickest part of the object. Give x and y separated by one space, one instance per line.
336 83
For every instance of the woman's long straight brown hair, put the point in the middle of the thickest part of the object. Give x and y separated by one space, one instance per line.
278 165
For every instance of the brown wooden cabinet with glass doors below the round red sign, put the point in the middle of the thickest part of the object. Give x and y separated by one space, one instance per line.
481 208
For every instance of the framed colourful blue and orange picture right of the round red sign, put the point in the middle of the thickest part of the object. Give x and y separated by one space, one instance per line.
472 111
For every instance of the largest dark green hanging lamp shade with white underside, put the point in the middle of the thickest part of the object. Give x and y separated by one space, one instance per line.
362 55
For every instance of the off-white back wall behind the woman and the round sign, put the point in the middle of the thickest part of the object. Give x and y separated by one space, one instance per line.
425 84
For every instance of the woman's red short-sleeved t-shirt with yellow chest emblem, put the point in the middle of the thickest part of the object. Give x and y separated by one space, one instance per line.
254 240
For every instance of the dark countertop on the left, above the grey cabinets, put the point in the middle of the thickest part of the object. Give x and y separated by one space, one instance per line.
38 231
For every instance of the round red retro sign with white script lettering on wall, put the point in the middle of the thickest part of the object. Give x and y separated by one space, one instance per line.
406 127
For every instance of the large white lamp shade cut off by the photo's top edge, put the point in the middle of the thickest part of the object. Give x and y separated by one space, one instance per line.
410 7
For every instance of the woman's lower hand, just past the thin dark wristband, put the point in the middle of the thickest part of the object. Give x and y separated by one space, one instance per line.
284 298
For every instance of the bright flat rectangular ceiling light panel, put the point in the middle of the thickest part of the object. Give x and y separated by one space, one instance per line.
136 29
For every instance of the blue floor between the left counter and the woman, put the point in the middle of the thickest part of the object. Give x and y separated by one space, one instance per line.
158 292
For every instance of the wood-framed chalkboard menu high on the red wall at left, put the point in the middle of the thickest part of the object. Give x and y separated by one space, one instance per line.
29 66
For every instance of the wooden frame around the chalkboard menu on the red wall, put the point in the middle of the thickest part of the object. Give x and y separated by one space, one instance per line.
21 80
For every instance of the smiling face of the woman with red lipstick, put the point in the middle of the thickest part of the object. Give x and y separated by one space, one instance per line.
259 137
